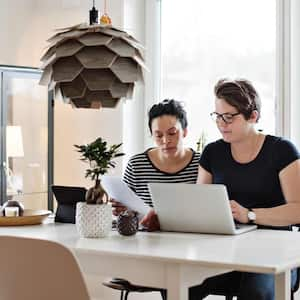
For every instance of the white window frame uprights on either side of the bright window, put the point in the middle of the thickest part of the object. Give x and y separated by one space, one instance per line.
282 63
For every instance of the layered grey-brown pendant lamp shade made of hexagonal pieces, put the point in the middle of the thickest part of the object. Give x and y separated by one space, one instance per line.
92 66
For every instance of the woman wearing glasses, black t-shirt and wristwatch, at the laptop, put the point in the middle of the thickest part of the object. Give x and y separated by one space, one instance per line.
262 176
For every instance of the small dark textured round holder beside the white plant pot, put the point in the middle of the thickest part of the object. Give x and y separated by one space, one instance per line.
128 223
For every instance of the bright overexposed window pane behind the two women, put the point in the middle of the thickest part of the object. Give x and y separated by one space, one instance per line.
203 41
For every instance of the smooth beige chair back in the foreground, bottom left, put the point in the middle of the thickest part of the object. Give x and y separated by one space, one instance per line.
33 269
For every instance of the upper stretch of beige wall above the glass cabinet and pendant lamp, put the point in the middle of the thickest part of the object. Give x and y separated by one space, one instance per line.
27 24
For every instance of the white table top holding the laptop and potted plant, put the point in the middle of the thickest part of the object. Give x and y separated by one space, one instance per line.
267 251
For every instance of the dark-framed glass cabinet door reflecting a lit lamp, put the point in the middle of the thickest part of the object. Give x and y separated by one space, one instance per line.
26 143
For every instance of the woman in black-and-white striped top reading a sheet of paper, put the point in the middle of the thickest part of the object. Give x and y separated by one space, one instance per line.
168 162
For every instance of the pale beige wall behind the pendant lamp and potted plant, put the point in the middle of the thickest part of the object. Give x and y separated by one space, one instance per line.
25 27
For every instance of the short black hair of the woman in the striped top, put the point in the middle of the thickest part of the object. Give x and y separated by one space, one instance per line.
168 107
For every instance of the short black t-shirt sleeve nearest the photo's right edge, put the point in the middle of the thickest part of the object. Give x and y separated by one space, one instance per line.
287 153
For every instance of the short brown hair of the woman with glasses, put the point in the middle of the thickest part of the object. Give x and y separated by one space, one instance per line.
239 93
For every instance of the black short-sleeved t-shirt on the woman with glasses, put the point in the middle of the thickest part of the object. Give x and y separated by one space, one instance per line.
255 184
